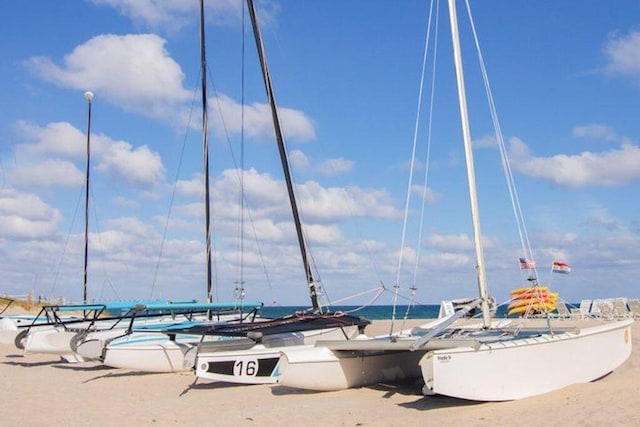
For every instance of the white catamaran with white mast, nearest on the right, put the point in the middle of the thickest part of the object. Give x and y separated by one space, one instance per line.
488 360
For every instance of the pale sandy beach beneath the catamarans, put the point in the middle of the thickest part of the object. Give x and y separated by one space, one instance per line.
40 389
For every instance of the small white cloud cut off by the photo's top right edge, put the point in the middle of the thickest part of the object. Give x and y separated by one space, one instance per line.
623 52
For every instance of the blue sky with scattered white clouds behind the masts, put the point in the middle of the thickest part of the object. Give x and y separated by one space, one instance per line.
566 83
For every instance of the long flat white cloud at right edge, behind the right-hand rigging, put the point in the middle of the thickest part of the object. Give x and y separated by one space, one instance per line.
606 169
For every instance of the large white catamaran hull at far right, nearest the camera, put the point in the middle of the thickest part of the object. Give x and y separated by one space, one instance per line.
525 367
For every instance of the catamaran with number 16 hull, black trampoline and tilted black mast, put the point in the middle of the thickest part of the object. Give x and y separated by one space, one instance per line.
253 356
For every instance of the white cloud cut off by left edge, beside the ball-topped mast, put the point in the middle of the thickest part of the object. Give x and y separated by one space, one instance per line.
25 216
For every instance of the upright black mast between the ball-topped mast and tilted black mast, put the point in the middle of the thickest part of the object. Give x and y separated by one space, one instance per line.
205 147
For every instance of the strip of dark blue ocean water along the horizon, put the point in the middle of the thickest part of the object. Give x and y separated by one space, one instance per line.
372 312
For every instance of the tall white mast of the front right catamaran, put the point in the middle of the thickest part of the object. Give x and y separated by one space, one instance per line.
473 196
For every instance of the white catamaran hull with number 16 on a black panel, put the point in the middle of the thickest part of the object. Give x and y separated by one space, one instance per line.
259 363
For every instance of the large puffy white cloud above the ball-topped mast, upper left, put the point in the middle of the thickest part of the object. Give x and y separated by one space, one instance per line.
134 72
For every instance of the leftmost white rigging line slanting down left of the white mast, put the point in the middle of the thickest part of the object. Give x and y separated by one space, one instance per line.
411 168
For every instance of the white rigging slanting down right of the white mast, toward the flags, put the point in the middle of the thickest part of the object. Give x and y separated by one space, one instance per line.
515 201
